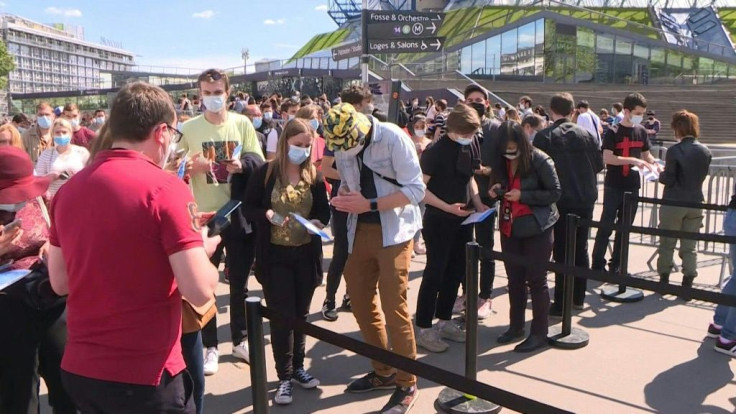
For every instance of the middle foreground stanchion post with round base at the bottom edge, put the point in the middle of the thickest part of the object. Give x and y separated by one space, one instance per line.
450 400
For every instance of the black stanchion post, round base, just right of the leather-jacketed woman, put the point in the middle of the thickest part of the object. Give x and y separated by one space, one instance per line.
565 336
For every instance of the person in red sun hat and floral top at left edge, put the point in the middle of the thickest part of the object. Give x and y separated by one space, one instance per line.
33 340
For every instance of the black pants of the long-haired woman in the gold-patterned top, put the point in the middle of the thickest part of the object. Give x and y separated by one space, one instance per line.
289 290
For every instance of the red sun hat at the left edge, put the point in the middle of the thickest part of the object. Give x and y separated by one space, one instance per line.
17 182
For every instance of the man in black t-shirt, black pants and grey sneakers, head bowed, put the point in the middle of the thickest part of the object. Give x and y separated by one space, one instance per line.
448 173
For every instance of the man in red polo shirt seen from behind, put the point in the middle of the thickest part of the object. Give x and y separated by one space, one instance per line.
126 246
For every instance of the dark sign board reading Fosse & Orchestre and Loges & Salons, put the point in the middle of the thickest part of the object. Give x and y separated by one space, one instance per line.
401 32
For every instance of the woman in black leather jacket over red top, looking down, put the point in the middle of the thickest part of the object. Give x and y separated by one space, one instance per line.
529 187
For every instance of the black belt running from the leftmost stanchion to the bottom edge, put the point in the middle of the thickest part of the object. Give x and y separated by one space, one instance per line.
437 375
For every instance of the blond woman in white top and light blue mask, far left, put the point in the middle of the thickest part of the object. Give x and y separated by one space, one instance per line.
63 158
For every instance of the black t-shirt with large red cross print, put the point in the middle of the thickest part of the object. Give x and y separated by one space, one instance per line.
625 142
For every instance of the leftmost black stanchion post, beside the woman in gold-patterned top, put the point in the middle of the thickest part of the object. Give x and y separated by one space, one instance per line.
257 354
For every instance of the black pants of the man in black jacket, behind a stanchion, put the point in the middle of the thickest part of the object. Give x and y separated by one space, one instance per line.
581 253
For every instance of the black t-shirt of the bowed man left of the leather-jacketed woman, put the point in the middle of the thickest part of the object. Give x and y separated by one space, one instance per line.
450 166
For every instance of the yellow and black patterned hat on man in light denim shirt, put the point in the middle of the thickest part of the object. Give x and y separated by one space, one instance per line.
345 127
